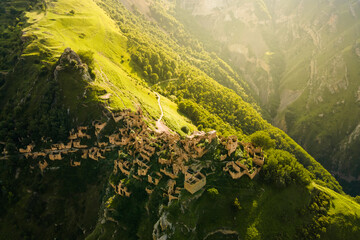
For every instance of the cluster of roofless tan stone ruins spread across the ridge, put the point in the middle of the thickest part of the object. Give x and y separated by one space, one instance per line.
152 157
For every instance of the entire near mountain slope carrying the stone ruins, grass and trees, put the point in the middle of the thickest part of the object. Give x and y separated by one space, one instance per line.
107 131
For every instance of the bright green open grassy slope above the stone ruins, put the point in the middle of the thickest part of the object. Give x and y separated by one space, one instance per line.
90 29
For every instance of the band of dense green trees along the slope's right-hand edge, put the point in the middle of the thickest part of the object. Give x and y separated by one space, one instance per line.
196 84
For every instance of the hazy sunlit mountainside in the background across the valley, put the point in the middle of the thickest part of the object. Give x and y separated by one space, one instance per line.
301 60
